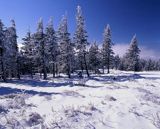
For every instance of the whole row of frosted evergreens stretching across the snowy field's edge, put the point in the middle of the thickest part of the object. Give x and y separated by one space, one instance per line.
50 51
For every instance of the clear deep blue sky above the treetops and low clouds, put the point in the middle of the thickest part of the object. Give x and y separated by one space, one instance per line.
126 17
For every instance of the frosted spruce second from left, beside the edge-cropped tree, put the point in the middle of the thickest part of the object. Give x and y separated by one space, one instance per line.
12 51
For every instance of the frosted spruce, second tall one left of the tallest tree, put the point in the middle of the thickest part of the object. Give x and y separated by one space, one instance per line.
51 46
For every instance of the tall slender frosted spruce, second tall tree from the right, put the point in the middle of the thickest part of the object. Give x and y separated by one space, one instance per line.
107 51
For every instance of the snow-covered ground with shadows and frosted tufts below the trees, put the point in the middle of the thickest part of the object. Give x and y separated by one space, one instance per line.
120 100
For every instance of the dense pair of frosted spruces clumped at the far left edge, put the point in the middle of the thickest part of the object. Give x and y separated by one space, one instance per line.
9 63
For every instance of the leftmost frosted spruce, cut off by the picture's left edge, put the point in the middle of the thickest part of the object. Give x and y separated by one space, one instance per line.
2 53
